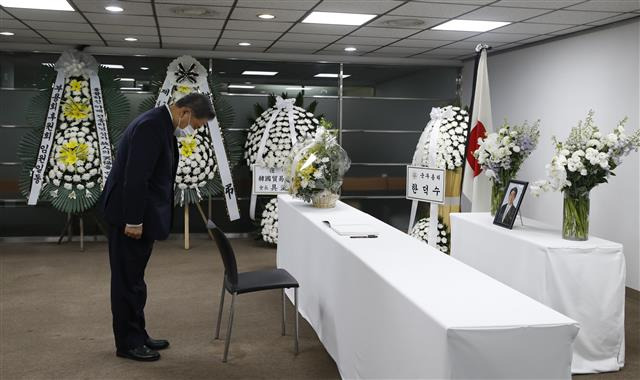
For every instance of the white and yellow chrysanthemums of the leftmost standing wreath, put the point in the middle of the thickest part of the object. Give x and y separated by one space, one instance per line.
75 160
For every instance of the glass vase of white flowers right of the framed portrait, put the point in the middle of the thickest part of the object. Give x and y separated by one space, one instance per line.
585 160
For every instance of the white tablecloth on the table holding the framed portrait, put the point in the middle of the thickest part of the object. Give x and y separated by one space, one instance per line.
582 280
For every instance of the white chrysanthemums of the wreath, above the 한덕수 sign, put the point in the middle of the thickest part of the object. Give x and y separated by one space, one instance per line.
452 139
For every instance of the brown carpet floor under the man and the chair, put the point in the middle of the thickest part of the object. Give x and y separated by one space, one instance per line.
55 319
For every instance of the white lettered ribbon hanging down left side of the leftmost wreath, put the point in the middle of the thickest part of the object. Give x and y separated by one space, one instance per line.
38 171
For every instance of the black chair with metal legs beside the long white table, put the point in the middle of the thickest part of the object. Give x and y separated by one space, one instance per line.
238 283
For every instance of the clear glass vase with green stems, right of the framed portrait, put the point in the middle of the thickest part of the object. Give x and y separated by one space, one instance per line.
575 216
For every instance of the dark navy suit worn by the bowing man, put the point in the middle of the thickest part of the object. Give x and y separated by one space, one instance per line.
139 190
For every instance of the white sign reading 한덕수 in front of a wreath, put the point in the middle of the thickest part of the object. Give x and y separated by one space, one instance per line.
425 184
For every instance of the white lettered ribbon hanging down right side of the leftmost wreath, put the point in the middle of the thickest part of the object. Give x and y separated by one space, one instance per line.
100 120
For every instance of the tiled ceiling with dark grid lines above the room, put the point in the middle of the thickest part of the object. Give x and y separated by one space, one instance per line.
156 25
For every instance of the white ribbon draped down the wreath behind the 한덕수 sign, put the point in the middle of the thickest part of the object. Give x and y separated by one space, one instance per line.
429 158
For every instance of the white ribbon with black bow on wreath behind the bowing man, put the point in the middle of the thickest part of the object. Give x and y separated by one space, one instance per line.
187 70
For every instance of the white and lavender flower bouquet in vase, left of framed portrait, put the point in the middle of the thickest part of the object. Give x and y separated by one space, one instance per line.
501 154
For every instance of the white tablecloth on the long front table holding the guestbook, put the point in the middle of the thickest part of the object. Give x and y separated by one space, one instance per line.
393 307
